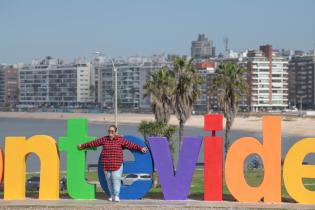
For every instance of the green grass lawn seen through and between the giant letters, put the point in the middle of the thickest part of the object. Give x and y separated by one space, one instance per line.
254 178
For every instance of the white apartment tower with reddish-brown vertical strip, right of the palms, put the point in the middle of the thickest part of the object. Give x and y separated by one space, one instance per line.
268 79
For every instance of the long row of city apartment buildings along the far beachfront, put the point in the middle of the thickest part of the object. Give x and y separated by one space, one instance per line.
53 83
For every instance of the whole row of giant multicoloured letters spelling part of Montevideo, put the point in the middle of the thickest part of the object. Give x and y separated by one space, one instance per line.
175 184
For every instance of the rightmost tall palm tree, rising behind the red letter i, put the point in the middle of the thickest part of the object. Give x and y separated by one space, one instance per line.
230 84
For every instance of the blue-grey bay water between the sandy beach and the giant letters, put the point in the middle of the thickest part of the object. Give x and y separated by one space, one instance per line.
57 128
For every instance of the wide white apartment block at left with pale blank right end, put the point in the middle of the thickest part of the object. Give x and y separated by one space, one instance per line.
54 82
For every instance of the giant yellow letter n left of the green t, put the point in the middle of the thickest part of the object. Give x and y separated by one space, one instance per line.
16 151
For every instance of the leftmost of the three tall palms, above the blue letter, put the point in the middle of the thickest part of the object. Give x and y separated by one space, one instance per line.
161 87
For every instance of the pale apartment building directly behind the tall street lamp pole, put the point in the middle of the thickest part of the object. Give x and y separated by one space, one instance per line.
132 75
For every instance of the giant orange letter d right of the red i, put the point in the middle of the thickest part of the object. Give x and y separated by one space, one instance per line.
269 151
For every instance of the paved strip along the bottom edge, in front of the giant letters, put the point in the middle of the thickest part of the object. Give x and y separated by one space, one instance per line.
143 204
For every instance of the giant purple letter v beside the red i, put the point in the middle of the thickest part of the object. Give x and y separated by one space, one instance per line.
175 184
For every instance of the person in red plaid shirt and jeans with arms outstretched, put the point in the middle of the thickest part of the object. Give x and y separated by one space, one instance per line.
112 158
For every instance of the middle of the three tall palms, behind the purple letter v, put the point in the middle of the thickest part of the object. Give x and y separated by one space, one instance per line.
187 91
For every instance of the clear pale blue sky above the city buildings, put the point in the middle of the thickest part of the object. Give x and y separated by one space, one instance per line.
69 28
